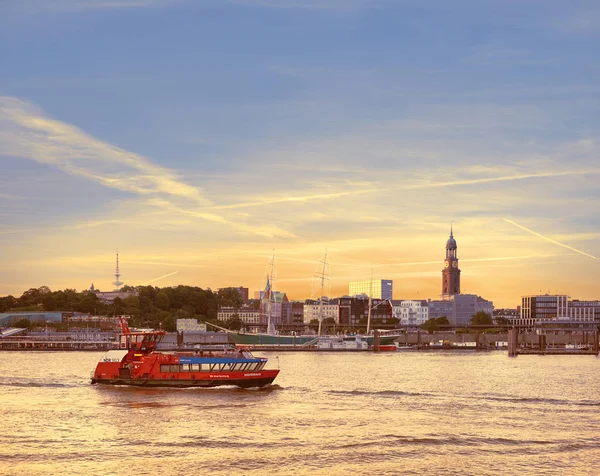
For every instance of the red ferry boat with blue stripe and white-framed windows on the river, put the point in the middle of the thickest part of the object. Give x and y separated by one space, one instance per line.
138 363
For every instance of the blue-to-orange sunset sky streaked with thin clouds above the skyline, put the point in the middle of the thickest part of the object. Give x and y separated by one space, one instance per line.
202 137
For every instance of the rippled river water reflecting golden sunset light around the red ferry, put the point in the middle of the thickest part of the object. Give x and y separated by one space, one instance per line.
327 413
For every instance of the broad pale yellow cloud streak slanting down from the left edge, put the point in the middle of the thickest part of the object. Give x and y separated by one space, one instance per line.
26 132
